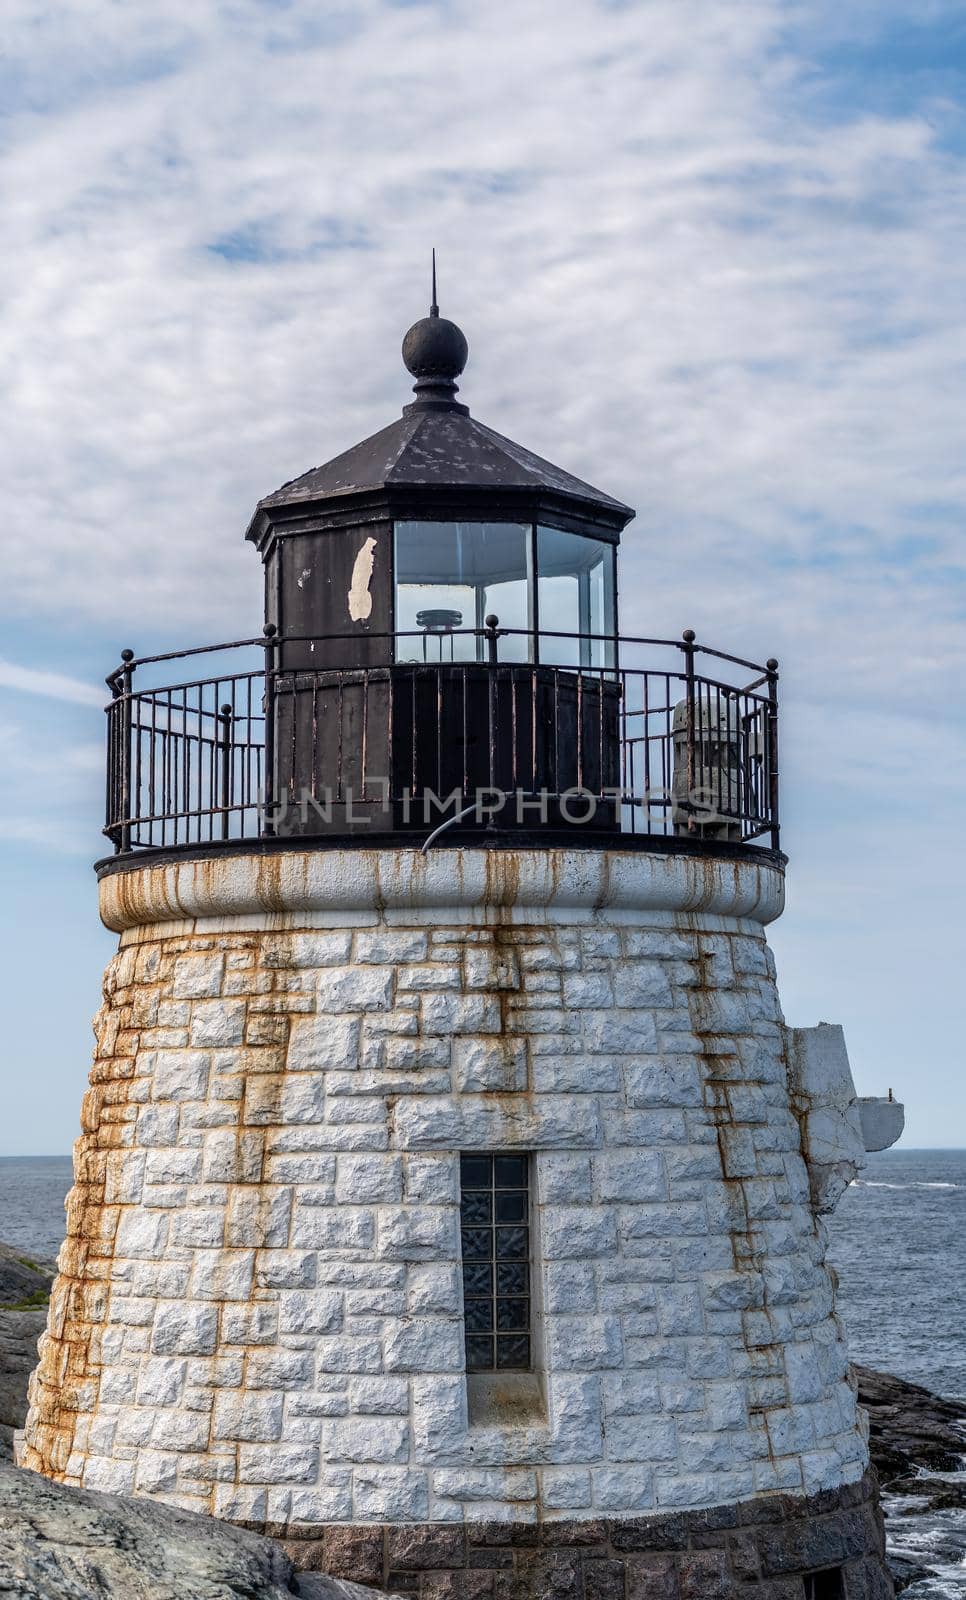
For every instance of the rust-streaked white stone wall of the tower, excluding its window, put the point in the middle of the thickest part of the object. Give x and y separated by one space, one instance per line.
260 1303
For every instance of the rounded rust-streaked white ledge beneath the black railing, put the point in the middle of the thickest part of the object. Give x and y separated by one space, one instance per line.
508 886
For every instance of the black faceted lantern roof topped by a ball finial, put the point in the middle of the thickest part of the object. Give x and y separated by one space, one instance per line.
437 449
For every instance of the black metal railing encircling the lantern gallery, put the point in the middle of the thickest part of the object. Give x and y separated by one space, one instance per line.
293 738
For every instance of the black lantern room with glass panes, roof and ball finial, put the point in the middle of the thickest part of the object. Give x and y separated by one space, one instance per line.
399 577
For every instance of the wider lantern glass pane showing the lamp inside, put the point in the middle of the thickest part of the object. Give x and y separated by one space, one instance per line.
452 577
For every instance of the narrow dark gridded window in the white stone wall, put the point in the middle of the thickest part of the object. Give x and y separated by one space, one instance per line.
495 1239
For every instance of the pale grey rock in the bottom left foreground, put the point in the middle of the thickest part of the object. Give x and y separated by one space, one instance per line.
76 1545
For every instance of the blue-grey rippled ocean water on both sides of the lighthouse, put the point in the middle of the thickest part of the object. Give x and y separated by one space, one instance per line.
898 1242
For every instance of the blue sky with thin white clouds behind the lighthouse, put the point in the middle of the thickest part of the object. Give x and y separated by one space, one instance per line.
709 257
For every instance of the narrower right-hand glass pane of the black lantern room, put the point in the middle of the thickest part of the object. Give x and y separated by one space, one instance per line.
575 596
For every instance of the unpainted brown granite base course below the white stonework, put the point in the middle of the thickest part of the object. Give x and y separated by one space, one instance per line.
828 1546
